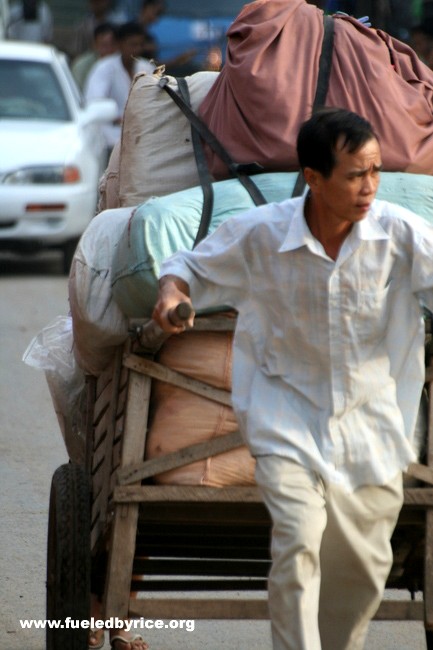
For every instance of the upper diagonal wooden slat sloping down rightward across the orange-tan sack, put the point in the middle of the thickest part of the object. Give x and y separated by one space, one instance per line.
158 371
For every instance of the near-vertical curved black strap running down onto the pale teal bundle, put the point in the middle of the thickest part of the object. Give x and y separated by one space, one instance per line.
203 171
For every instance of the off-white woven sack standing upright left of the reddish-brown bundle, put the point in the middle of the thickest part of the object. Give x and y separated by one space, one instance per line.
157 156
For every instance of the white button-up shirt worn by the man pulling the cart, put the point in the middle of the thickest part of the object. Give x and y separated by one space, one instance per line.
328 361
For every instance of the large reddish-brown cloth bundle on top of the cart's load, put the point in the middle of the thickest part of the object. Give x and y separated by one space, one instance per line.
267 87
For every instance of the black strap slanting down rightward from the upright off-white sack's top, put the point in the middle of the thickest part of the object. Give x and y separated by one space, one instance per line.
240 170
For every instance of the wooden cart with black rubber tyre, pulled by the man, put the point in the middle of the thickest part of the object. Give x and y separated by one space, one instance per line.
179 552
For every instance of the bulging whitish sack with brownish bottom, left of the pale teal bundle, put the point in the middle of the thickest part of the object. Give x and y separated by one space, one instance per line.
98 324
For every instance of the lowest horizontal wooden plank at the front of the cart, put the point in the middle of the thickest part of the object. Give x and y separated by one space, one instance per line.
203 608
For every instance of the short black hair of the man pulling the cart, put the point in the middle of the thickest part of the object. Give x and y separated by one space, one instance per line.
318 137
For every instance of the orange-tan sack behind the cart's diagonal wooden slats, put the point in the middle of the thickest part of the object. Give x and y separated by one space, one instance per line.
180 418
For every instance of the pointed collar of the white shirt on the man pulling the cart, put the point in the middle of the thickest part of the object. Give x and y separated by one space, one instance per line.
299 234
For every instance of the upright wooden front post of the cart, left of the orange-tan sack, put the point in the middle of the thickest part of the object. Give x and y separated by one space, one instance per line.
124 526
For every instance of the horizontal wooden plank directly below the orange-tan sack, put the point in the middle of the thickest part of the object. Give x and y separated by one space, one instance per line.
185 493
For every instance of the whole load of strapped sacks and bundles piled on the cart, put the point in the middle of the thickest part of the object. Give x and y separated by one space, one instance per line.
157 198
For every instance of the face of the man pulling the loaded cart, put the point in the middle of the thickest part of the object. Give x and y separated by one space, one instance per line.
346 196
